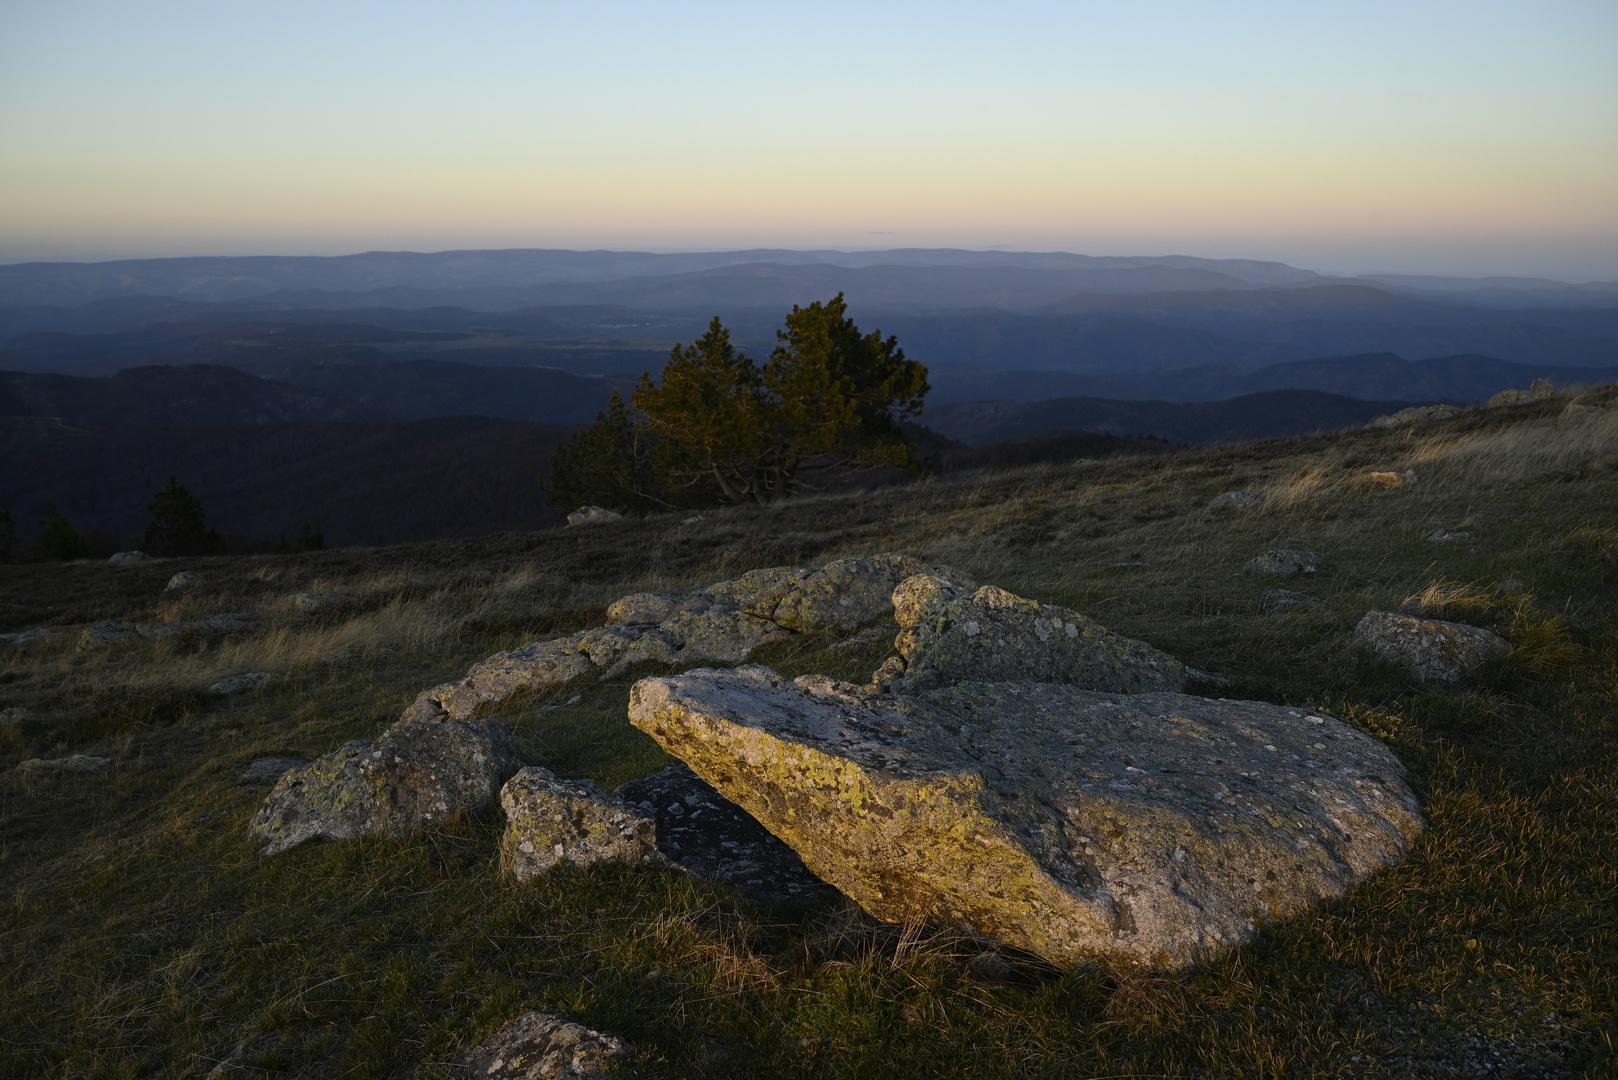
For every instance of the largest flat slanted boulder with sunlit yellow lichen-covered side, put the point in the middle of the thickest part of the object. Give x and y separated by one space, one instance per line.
1154 828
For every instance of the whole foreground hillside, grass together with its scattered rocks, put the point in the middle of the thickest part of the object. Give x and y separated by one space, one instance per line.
1098 691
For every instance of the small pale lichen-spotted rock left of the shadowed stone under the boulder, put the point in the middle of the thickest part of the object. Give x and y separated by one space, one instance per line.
569 822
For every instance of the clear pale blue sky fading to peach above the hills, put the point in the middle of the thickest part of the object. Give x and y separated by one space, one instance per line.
1412 137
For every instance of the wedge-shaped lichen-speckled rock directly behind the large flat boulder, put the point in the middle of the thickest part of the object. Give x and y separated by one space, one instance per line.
952 636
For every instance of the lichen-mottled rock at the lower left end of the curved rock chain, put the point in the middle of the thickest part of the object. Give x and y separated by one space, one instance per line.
415 775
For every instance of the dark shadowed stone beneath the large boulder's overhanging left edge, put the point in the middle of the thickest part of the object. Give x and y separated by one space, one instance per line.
706 835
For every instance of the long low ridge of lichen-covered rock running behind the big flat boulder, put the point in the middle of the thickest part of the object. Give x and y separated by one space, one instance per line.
722 624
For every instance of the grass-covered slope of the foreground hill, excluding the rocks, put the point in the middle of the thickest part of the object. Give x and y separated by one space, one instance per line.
145 938
